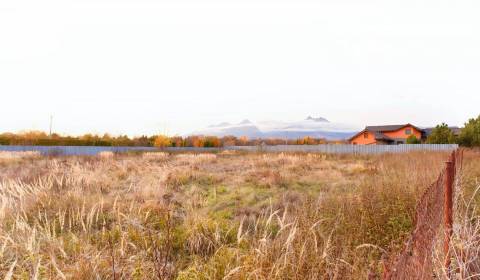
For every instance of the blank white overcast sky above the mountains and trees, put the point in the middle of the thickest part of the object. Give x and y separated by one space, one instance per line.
139 66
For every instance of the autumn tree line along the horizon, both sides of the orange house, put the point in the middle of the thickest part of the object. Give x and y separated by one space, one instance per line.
441 134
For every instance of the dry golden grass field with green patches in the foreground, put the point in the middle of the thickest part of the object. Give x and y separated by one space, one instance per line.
216 216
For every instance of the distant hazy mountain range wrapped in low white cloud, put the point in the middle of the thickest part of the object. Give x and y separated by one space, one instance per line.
316 127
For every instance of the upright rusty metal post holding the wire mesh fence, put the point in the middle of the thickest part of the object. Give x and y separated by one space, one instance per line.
448 208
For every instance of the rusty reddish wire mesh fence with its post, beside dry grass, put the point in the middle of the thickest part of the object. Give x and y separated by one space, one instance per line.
433 213
